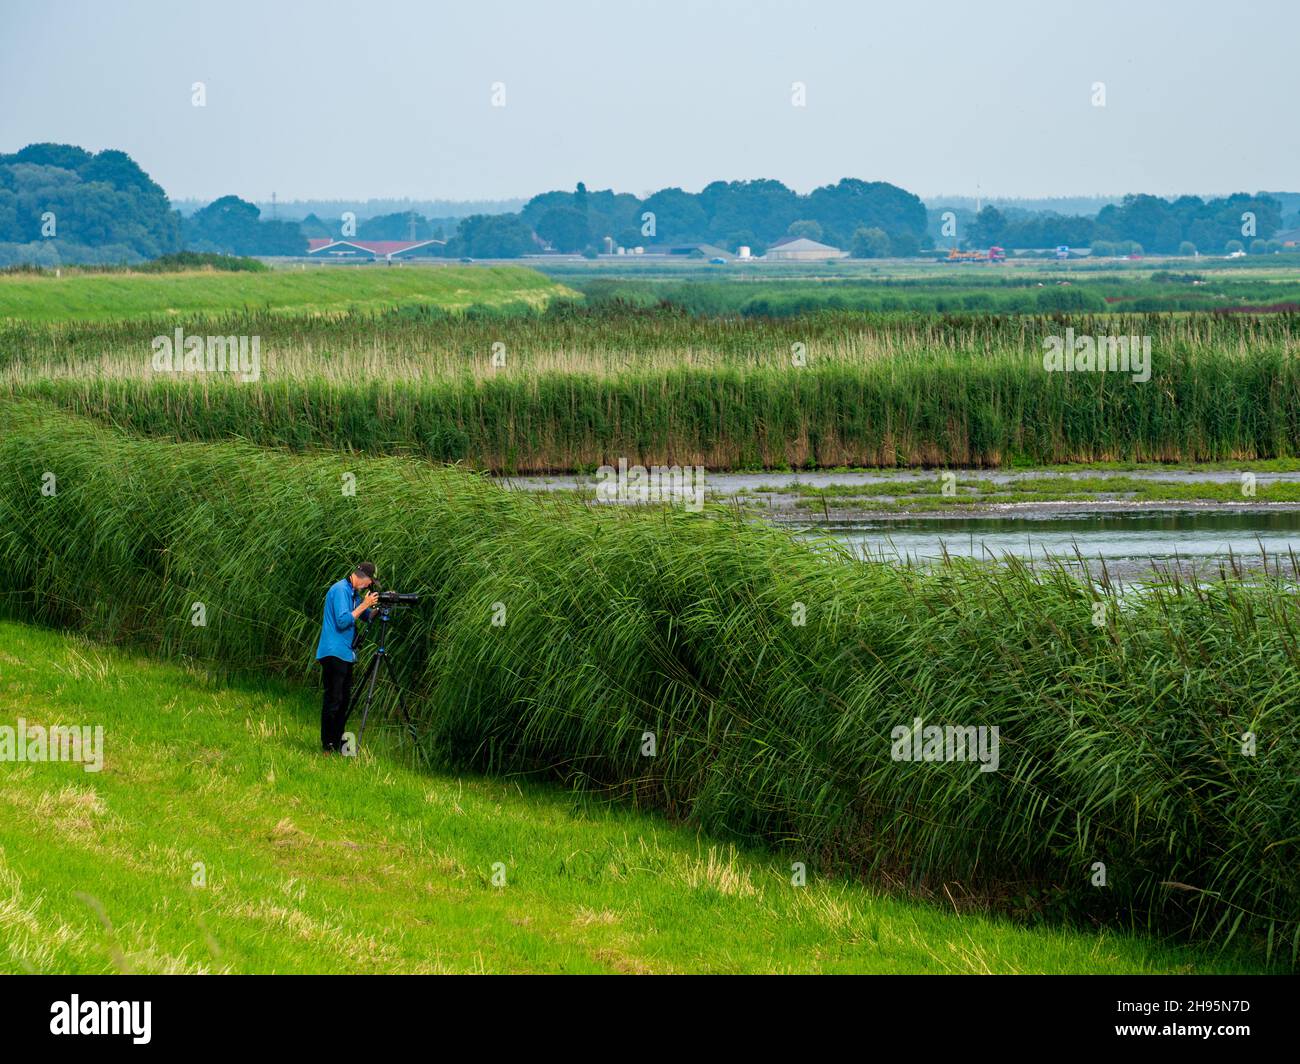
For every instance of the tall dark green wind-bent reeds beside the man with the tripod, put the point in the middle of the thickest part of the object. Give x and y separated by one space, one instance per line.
1121 743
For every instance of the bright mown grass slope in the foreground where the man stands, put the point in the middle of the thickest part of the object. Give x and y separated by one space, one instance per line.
318 864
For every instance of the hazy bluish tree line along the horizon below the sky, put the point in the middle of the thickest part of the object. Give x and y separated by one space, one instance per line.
60 204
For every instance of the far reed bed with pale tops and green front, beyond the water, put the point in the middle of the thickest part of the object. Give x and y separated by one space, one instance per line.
575 391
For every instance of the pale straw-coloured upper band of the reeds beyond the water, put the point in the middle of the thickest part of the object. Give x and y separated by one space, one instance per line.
431 344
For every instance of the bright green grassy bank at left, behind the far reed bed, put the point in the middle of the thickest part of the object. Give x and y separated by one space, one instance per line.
313 291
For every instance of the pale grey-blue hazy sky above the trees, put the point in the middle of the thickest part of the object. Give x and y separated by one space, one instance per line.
396 100
